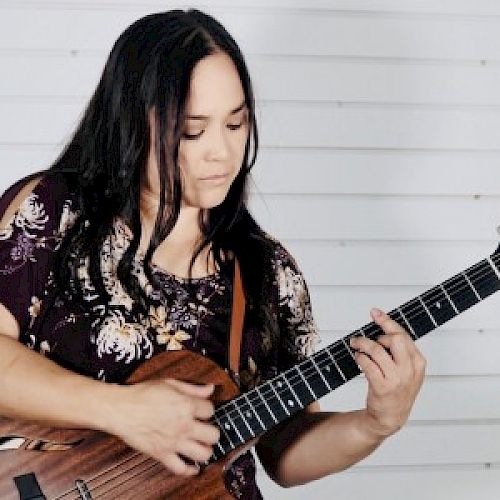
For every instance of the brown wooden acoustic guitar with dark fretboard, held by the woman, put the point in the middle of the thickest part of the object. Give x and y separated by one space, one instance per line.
42 463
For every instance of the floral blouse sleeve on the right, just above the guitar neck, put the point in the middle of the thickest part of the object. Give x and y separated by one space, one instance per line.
298 330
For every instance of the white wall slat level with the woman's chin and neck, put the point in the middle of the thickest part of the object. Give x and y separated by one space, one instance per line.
377 218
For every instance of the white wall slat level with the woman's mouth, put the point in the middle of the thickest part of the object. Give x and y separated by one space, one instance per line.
335 172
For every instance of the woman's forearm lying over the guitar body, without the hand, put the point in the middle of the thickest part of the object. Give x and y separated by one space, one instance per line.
35 388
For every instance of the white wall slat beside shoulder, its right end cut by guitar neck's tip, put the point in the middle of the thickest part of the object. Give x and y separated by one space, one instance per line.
422 264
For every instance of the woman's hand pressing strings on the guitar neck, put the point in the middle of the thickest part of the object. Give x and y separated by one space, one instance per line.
395 369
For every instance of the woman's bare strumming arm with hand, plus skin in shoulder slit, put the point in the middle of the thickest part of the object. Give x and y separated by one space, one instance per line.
164 419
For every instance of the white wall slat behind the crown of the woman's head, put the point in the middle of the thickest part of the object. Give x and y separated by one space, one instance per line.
287 33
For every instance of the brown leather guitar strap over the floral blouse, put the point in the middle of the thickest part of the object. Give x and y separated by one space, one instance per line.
237 318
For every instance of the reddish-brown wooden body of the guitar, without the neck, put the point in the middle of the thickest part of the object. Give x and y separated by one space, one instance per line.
97 465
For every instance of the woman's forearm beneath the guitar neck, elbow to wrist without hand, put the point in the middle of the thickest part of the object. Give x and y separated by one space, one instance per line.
313 445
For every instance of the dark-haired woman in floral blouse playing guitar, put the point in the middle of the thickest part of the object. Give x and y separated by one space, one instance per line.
144 213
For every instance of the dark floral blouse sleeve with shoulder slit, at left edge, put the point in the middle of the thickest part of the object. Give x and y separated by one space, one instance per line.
27 244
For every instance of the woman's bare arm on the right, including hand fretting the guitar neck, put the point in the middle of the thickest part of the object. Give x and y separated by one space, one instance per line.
313 444
